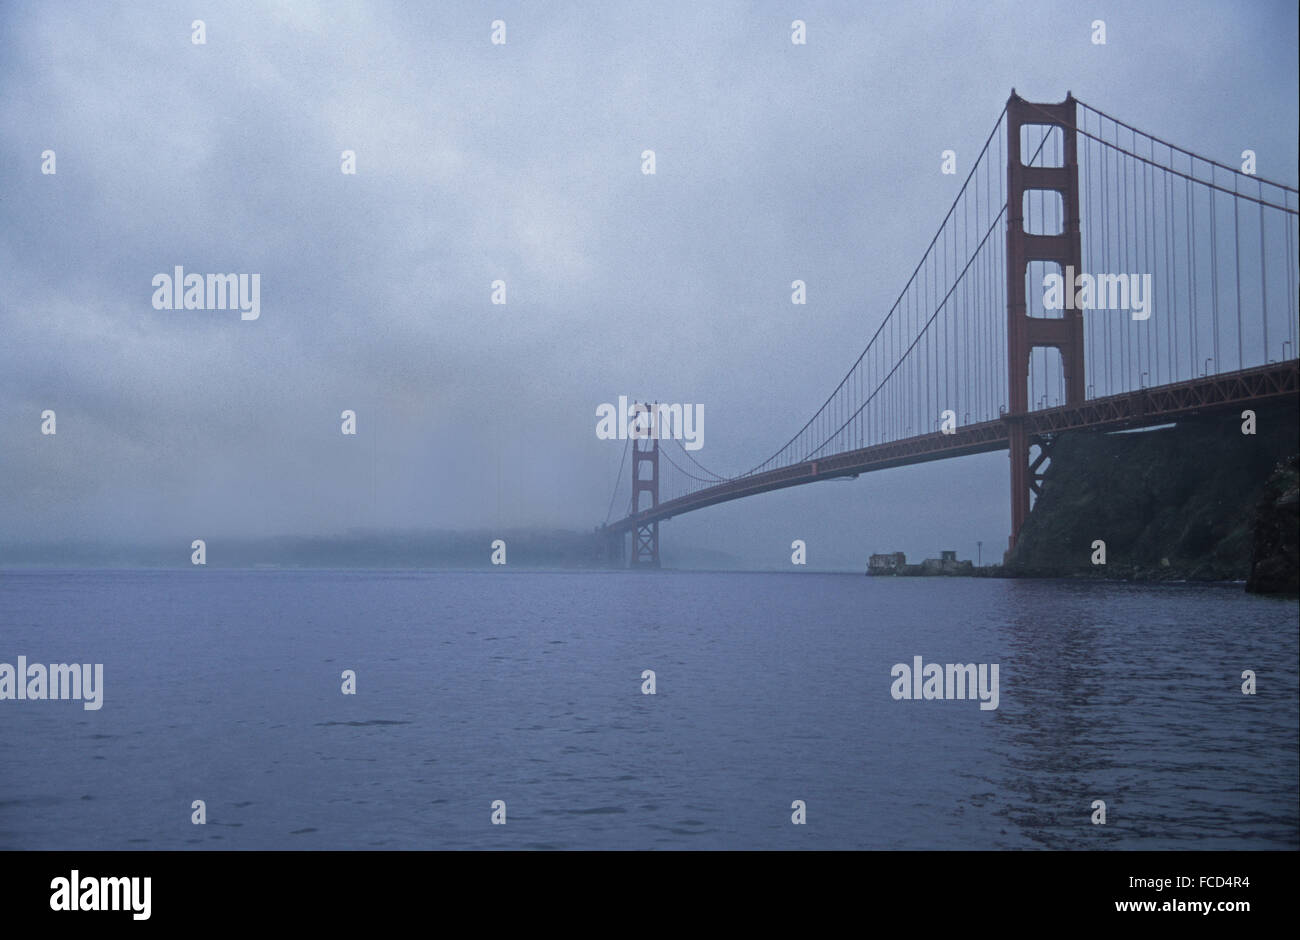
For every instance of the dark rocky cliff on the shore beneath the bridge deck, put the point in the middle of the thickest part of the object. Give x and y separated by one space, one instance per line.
1191 503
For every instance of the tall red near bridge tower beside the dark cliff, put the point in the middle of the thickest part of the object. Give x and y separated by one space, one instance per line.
1025 332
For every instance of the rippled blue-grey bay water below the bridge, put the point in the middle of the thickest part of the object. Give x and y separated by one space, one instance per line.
526 687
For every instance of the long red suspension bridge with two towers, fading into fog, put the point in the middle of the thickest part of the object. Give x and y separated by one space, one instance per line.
1058 189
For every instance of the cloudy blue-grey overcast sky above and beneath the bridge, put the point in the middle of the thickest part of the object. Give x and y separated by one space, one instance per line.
522 163
